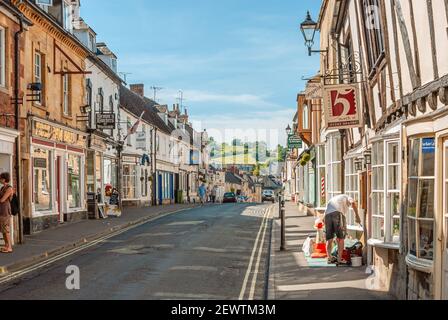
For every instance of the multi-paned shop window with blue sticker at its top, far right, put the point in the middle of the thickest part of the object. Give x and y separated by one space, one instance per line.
421 198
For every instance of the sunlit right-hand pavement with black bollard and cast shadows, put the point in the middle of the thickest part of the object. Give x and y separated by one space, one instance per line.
293 278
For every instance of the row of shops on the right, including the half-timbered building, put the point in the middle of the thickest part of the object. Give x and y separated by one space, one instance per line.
374 125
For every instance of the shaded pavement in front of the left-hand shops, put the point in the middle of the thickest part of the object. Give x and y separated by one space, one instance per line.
49 243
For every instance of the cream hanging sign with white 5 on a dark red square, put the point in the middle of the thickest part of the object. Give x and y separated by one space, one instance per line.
342 109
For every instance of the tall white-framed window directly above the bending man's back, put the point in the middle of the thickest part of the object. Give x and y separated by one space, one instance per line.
334 169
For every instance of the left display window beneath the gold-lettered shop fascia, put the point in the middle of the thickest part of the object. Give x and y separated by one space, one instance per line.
42 184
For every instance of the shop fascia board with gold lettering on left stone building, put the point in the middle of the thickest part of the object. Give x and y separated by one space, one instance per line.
57 134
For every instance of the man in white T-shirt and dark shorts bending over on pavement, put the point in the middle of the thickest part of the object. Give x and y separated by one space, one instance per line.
336 225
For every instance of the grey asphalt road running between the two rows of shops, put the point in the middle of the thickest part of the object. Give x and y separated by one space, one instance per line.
213 252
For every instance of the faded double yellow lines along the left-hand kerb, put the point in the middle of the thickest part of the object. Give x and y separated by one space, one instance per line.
83 247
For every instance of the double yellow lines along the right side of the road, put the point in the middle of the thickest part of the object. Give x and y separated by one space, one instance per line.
255 264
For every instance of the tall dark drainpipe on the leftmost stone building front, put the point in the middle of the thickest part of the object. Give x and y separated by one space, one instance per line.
17 119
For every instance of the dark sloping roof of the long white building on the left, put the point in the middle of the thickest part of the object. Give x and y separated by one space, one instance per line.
136 105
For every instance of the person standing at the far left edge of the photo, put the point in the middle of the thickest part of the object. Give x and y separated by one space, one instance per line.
6 194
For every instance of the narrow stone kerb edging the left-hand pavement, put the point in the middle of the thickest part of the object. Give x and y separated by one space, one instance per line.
29 262
